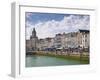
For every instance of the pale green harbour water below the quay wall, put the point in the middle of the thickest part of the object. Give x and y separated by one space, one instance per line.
36 61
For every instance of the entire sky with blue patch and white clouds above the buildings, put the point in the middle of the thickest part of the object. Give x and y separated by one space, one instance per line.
49 24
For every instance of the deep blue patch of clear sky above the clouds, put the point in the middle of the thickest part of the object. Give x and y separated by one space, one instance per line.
34 18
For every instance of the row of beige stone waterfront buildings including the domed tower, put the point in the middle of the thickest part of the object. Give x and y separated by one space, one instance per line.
79 39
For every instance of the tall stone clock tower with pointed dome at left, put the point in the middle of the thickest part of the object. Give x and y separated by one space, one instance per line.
34 40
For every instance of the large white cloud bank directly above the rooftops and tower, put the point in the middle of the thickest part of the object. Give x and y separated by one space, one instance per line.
50 28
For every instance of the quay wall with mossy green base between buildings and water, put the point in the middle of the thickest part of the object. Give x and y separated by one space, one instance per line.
83 56
